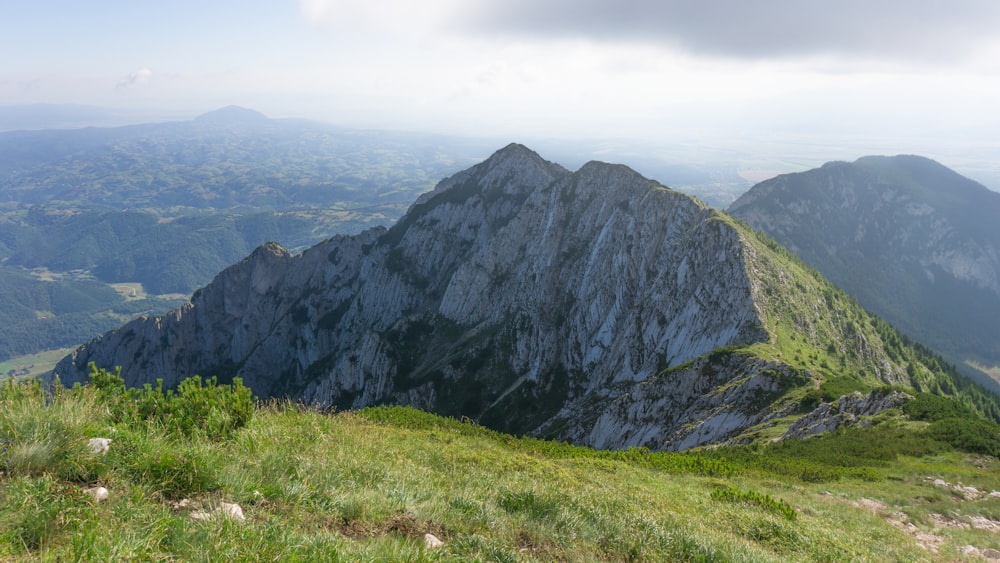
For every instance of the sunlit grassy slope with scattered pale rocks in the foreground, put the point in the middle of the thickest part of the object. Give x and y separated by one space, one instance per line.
368 485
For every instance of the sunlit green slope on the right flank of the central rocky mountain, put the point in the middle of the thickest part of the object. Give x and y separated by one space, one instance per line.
829 338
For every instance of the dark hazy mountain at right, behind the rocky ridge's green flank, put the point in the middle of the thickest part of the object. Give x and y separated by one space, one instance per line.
915 242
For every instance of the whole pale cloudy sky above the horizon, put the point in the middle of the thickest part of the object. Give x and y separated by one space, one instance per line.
896 73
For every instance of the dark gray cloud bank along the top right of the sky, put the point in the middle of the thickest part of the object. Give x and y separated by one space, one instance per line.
922 31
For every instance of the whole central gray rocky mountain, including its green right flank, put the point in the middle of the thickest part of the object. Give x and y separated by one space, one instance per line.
594 306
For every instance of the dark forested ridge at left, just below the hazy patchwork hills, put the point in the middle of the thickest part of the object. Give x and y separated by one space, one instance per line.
165 254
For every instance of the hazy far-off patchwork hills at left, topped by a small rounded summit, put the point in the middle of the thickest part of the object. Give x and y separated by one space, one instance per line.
232 158
